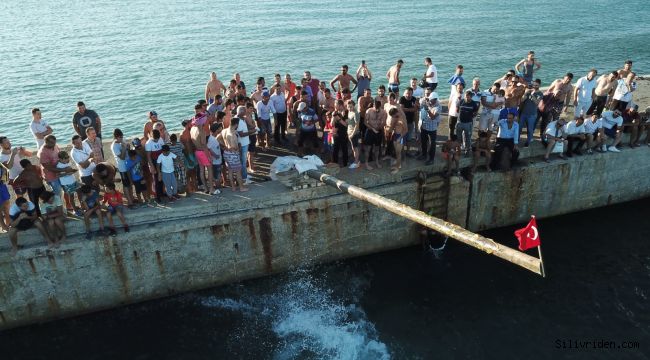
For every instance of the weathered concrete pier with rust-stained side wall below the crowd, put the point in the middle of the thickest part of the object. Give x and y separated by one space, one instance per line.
206 241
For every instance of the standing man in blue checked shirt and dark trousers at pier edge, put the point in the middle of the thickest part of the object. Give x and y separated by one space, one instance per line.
430 117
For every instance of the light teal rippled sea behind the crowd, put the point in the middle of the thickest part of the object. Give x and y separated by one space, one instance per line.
125 58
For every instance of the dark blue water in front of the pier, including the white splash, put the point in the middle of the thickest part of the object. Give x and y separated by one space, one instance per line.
405 304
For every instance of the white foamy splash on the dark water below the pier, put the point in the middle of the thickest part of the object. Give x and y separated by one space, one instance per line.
310 320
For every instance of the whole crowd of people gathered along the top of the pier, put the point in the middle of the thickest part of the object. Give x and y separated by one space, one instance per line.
217 146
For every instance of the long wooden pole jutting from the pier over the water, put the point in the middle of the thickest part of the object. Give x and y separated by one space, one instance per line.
452 230
